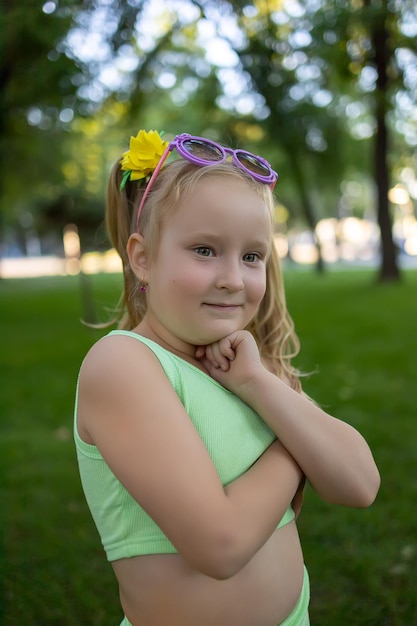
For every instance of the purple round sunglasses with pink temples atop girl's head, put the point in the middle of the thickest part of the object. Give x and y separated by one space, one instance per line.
201 151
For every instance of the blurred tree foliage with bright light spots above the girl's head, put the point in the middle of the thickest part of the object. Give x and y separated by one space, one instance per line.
297 82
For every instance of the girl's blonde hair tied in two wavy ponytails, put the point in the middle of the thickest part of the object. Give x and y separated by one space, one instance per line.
272 325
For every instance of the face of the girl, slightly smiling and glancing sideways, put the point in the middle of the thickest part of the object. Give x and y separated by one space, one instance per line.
209 275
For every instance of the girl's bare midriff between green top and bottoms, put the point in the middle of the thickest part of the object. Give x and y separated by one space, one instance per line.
162 590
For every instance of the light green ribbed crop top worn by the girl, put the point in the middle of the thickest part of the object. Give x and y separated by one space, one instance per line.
234 435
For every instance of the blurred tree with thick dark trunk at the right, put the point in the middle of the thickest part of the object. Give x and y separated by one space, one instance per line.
380 35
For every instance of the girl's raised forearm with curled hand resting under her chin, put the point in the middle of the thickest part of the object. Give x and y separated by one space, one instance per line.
333 455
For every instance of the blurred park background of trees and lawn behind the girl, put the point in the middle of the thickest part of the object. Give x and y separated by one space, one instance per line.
327 92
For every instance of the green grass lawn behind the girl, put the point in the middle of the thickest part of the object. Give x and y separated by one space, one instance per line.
360 341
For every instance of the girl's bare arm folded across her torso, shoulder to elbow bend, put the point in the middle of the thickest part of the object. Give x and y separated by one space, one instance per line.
129 410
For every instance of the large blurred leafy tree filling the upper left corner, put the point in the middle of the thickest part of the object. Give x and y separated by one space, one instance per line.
44 86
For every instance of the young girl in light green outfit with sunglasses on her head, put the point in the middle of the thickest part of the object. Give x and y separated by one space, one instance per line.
193 437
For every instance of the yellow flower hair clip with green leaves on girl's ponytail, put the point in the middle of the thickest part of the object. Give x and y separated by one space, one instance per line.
145 152
